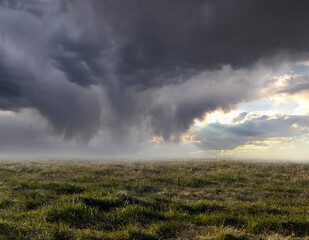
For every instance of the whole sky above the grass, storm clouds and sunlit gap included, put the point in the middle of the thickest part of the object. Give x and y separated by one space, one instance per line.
154 79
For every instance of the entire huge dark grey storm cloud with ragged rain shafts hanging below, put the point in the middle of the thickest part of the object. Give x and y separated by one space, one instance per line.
114 65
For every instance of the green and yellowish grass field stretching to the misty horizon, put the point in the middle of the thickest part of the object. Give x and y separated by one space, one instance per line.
154 200
